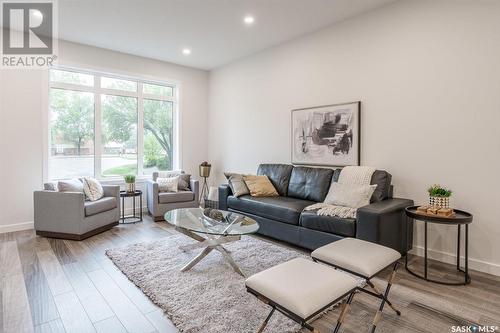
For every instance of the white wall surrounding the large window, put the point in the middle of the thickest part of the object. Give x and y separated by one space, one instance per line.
22 100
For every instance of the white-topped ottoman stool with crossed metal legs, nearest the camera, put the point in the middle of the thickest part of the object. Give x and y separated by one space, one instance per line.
301 289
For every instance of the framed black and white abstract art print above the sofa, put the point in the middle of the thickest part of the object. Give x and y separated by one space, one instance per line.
326 135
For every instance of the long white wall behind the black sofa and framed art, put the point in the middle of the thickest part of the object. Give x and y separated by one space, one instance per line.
428 76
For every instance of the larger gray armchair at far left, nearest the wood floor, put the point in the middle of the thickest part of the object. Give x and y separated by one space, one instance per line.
67 215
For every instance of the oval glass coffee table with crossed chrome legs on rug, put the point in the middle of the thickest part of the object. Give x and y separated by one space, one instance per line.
191 222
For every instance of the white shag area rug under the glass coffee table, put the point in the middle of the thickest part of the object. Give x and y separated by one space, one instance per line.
210 297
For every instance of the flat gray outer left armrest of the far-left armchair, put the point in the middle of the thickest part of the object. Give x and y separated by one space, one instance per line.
58 211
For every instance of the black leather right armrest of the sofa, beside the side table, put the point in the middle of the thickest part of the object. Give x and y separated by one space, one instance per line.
385 223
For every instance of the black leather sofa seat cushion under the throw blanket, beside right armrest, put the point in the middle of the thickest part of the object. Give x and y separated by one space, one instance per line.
331 224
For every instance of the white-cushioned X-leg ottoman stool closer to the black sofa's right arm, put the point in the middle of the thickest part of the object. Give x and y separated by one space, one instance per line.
363 259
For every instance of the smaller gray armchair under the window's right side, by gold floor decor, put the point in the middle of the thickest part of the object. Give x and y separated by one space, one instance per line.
161 202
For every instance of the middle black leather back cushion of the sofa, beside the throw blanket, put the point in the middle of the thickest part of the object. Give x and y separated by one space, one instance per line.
310 183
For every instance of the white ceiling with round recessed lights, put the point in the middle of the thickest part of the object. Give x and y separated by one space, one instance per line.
212 29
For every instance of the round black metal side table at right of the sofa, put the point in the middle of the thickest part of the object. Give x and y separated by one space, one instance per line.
461 218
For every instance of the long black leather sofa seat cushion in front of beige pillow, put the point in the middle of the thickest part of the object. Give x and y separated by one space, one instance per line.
283 209
